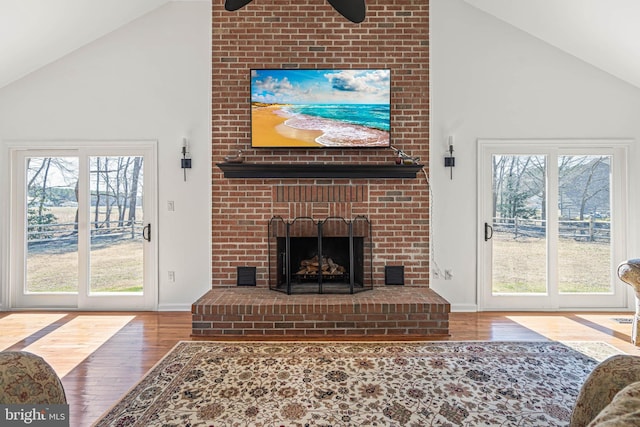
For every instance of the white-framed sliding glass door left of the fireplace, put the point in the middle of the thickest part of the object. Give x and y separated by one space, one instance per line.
82 227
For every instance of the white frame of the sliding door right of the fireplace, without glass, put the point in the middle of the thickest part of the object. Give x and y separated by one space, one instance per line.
619 149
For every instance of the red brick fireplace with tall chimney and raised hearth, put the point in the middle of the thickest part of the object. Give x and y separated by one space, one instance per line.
285 34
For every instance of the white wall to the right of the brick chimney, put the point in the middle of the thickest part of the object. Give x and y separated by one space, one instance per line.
491 80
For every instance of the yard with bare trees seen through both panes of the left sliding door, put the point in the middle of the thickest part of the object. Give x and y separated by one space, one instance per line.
115 223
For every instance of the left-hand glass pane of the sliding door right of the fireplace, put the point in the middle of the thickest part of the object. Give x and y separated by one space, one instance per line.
519 249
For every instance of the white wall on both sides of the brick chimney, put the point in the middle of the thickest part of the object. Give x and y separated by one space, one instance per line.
151 80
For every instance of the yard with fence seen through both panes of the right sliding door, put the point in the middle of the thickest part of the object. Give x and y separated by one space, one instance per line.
520 223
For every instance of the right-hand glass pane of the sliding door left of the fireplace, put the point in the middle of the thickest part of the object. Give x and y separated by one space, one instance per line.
116 214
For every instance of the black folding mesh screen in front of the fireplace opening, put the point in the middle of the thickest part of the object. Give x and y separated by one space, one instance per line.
329 256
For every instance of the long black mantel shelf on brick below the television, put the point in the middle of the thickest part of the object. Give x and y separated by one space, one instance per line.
318 170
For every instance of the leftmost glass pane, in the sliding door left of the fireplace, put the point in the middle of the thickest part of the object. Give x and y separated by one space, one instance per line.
51 225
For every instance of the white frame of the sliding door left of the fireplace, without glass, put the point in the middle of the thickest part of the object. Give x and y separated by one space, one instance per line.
14 244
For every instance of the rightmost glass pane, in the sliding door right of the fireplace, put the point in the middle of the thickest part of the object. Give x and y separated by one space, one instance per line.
584 224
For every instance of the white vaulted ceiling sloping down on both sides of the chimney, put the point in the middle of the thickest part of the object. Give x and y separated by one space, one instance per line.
604 33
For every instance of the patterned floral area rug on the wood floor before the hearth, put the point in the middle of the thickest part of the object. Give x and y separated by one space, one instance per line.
357 384
